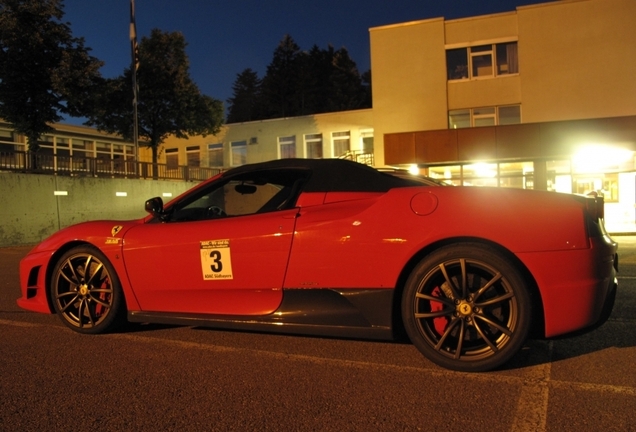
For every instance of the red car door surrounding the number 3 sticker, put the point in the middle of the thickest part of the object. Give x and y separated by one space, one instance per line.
164 264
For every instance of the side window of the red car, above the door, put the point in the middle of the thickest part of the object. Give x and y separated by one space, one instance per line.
241 195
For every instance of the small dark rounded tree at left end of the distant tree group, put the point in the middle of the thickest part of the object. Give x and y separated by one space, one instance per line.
244 104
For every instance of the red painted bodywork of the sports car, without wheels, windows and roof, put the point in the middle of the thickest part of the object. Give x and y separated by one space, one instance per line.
342 240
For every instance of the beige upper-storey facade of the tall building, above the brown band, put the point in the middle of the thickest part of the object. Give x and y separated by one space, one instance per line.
563 60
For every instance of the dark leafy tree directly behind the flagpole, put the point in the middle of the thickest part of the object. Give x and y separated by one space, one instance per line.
170 103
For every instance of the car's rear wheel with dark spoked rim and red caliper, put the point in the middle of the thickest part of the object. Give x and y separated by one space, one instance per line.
466 308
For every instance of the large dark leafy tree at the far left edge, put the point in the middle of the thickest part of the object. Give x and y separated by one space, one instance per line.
44 71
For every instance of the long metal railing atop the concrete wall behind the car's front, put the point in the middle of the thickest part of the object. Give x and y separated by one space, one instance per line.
42 163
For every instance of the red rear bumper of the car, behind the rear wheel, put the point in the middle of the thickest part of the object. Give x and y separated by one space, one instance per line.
577 287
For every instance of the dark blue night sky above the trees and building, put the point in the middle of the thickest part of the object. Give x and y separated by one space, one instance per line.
226 37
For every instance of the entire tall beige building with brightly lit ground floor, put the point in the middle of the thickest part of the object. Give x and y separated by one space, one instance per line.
542 97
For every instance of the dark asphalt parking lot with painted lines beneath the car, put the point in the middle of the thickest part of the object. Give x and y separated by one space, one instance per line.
187 378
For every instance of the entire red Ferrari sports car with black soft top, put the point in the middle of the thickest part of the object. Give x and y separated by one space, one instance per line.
332 247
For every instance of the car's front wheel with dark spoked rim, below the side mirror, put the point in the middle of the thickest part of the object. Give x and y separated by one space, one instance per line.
87 304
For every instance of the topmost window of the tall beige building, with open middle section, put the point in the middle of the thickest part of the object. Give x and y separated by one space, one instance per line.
482 61
